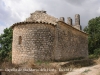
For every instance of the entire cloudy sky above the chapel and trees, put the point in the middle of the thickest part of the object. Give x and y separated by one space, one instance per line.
12 11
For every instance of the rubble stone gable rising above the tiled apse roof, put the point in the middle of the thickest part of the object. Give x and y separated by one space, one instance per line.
42 16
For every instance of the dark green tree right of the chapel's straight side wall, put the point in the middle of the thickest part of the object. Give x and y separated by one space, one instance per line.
93 30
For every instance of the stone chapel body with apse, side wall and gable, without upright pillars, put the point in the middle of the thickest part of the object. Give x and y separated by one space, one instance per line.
47 41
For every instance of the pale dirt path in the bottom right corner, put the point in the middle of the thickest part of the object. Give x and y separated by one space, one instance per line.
92 70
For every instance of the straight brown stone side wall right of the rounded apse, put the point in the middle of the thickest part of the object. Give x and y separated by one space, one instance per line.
71 43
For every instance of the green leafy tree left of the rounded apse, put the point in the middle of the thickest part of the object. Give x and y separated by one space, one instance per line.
6 44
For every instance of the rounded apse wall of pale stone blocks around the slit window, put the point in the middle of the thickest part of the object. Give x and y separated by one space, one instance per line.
38 41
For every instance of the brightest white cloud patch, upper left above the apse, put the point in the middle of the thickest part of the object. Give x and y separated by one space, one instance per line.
21 8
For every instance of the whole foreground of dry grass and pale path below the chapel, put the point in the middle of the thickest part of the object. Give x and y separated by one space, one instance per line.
73 67
